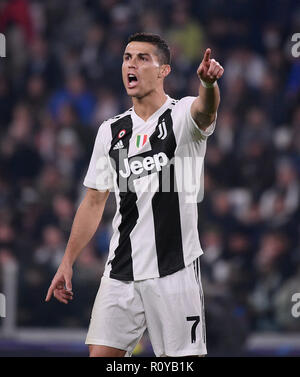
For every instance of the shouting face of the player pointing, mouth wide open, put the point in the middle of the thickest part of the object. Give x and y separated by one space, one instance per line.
141 70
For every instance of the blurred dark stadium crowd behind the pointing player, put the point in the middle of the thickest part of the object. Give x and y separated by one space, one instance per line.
62 77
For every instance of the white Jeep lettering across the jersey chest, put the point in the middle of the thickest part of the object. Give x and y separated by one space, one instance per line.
138 165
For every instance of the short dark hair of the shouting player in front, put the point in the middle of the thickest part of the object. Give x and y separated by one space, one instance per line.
164 54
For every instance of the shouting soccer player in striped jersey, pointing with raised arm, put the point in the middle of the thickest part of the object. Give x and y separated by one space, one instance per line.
146 155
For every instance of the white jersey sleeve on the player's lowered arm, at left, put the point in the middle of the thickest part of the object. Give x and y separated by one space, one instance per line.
99 175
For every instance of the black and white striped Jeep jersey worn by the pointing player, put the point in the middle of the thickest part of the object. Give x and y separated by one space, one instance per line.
155 168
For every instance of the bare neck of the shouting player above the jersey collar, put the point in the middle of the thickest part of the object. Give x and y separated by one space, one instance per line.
148 105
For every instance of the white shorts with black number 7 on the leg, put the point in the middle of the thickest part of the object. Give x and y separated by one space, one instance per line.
171 308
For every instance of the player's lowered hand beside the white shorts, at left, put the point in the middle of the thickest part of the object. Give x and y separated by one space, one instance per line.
61 286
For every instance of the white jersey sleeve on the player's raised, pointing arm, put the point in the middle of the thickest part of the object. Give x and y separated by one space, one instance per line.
192 128
